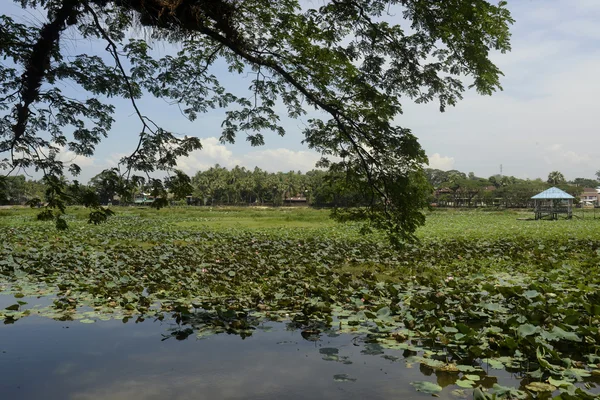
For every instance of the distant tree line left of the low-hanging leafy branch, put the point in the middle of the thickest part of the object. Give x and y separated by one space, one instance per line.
217 186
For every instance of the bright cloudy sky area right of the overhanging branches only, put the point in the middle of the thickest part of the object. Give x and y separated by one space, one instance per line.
550 96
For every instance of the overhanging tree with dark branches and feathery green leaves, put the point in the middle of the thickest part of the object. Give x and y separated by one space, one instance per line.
353 60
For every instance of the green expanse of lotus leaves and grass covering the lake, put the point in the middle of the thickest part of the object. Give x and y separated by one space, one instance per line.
481 291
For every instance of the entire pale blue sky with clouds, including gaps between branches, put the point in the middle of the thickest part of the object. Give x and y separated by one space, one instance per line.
544 120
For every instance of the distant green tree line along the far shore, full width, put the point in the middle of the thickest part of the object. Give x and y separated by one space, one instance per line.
218 186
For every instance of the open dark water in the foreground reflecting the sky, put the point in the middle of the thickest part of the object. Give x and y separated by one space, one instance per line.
46 359
